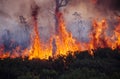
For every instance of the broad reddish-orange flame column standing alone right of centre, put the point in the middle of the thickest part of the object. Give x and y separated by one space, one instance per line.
98 35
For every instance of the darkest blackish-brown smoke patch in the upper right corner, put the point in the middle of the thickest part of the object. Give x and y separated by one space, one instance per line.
108 7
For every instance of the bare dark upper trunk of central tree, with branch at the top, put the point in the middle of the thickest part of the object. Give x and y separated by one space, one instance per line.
59 4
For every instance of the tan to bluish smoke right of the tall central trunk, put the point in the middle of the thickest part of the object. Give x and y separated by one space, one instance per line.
79 15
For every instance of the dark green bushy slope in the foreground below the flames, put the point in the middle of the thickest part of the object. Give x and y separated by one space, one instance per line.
105 64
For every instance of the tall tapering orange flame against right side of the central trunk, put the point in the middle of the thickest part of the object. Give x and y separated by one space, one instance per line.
64 40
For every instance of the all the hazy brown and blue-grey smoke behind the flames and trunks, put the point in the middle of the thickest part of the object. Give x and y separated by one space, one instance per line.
78 15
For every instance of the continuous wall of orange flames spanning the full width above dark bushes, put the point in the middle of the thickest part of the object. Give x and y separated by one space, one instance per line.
63 42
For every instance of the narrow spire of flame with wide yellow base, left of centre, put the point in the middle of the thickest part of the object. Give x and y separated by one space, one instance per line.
37 50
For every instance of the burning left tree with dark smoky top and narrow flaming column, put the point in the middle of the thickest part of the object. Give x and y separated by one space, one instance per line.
38 49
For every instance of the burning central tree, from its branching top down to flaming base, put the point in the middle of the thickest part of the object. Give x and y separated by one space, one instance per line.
63 40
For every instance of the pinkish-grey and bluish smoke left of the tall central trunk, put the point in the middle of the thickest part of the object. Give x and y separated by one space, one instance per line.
11 10
